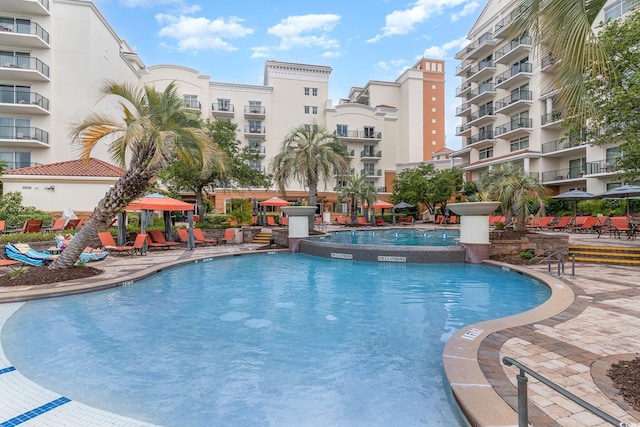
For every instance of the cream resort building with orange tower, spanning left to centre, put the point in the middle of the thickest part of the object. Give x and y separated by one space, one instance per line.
54 54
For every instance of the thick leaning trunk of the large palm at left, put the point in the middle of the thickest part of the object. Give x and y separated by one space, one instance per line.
131 185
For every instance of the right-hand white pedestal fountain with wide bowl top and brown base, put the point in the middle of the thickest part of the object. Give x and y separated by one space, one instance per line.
474 228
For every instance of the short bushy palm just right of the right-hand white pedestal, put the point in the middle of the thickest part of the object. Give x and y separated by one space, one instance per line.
514 189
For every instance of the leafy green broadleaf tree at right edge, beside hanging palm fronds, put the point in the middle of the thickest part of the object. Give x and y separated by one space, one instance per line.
617 110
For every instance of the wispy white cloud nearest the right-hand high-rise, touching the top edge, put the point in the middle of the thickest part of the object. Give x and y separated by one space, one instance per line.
402 22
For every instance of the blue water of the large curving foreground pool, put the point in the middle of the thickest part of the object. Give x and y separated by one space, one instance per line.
281 339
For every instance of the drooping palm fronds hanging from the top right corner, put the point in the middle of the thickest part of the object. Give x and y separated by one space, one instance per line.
565 28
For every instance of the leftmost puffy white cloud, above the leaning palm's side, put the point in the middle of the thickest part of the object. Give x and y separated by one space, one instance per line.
200 33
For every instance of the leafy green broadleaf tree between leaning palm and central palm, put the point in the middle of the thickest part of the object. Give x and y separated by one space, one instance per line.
193 177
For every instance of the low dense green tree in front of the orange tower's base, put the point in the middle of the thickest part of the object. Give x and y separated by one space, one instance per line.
426 185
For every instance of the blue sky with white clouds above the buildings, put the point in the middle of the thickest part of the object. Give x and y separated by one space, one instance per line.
361 40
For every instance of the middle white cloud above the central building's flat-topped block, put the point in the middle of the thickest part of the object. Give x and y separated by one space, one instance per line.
306 31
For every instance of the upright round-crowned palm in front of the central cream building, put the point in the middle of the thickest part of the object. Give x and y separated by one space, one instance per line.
310 155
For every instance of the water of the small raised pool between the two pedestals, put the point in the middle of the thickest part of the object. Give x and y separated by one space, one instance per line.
394 237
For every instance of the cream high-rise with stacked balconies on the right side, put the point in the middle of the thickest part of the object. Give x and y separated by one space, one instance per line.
509 109
